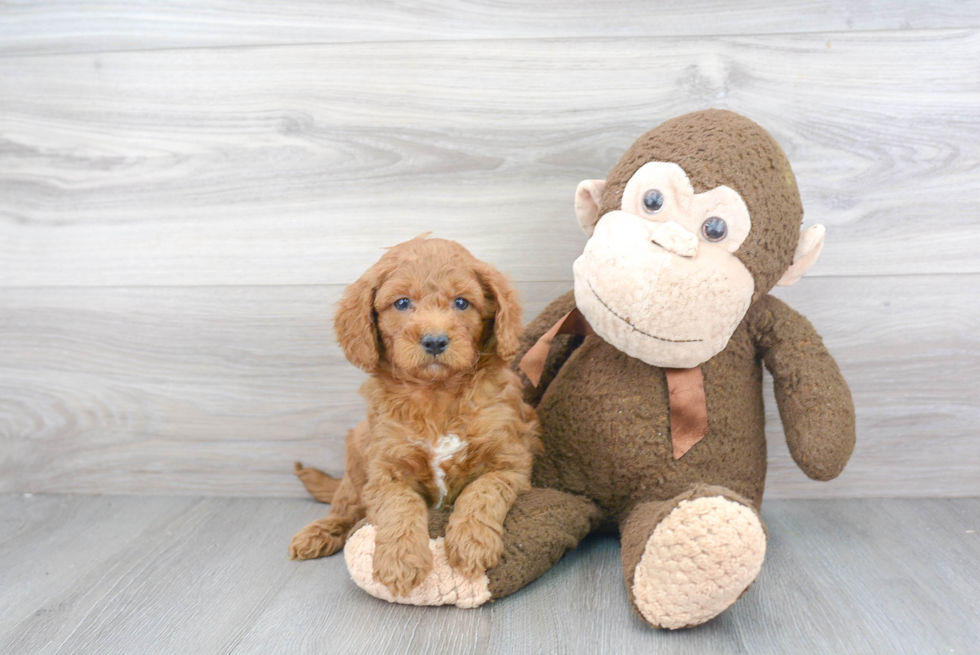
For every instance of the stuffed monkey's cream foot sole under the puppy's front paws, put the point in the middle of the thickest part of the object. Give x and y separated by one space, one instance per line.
444 585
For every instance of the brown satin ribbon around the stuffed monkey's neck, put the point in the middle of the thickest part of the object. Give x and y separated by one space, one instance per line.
688 408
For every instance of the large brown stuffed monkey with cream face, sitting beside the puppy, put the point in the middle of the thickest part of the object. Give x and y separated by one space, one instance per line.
647 379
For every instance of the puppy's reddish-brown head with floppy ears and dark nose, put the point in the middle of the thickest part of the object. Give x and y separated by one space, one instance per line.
430 310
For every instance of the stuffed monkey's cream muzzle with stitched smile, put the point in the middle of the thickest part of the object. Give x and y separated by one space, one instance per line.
659 293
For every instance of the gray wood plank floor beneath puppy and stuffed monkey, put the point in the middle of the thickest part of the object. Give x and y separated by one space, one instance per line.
103 574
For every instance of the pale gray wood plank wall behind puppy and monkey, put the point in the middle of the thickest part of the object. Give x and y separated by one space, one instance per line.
186 189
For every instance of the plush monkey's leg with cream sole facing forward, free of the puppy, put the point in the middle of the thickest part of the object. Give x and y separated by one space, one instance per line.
687 559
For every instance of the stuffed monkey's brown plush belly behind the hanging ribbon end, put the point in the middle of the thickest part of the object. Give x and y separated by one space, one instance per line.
606 429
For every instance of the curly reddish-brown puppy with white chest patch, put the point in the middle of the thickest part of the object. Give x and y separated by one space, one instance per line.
436 329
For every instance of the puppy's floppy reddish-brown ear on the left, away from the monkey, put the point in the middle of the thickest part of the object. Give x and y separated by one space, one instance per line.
356 323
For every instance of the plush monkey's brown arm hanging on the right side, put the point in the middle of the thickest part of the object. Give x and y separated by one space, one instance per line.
814 402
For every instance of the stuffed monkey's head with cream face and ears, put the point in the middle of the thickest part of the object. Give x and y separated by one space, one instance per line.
699 219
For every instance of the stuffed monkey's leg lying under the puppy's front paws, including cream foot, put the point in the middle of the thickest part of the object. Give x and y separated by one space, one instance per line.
541 526
